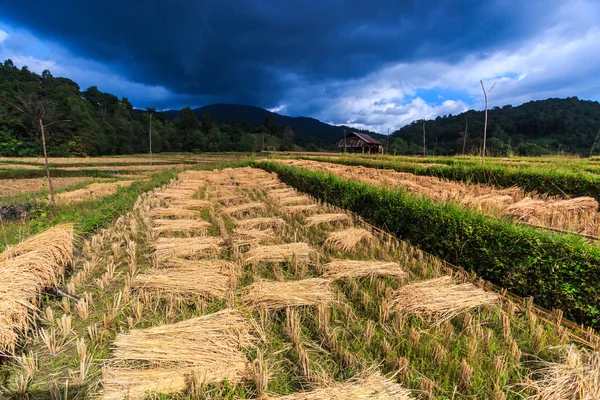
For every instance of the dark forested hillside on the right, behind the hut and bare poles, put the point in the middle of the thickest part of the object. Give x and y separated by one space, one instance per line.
539 127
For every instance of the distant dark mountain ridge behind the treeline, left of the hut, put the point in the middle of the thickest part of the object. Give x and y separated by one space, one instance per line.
306 130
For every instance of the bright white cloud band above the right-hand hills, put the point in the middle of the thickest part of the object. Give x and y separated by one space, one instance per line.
549 65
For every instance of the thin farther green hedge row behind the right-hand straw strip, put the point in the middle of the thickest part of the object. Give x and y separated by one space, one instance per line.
532 179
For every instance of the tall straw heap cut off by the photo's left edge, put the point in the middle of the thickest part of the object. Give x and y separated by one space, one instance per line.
25 272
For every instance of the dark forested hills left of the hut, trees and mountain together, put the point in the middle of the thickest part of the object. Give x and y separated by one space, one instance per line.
92 123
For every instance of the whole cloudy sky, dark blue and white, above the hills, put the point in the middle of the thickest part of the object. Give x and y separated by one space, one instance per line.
376 65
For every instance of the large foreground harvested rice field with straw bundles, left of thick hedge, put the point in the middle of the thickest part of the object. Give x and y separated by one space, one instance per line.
211 288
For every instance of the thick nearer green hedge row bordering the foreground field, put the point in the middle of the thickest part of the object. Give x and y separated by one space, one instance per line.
560 271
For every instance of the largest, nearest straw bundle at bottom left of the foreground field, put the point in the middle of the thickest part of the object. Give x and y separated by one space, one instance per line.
206 349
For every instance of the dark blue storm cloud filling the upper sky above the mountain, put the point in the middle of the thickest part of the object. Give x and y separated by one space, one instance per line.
251 51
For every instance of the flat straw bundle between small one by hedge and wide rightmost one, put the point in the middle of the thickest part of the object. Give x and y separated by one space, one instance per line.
338 269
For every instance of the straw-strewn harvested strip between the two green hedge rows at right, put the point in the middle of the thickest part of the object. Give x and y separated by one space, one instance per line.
576 215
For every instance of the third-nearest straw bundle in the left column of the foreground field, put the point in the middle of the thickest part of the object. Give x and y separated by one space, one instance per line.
194 248
